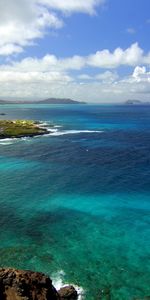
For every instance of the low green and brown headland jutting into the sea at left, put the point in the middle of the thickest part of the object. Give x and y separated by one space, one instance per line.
20 128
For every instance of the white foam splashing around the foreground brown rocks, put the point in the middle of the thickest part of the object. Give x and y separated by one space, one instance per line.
58 282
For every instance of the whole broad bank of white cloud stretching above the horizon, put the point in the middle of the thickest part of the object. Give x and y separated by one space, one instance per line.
51 76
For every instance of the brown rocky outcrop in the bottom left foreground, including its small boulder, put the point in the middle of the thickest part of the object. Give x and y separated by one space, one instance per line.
27 285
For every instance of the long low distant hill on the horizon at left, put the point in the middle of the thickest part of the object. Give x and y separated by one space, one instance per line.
45 101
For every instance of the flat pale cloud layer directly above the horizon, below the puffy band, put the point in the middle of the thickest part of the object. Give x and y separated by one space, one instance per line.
34 86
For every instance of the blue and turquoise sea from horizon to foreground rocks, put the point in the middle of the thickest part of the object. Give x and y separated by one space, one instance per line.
76 204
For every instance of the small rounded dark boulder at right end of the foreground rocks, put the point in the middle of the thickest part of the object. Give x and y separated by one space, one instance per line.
68 292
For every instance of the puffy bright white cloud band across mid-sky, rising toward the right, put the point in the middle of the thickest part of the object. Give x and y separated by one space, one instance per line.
131 56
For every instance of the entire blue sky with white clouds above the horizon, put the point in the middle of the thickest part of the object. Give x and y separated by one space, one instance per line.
96 51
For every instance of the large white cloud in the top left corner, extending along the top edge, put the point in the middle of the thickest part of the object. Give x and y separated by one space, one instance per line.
23 21
